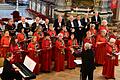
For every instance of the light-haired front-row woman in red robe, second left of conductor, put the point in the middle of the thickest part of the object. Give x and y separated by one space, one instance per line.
60 53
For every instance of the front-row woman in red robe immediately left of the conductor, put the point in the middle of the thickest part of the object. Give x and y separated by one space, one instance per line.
72 45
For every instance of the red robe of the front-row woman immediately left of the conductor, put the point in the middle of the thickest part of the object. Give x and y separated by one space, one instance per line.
70 56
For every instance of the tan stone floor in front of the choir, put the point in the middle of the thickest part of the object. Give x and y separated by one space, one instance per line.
75 74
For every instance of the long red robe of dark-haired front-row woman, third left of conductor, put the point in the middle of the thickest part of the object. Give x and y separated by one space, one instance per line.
46 55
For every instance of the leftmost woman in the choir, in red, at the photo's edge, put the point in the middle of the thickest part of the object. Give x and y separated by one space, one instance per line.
5 43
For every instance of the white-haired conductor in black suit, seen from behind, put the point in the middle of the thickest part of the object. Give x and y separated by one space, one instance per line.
88 64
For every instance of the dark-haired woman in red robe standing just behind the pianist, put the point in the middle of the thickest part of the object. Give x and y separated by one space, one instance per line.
15 48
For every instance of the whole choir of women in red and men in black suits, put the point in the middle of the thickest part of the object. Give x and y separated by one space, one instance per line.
46 43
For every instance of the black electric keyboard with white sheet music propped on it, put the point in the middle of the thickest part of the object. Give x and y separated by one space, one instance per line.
26 69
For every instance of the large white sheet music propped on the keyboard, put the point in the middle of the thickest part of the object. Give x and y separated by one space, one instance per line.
29 63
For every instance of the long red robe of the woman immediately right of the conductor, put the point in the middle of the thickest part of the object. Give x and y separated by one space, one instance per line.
100 49
